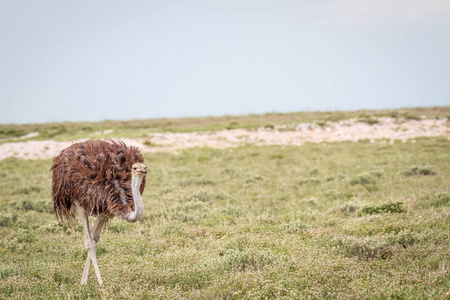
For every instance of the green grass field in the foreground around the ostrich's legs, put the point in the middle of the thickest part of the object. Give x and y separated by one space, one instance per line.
340 220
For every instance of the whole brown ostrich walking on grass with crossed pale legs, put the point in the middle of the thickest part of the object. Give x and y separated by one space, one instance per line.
97 178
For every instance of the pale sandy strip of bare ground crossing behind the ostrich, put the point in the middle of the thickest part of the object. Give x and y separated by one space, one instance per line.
349 130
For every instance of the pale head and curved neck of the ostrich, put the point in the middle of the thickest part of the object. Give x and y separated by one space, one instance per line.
138 172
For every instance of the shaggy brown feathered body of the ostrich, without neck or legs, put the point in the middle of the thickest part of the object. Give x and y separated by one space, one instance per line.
97 175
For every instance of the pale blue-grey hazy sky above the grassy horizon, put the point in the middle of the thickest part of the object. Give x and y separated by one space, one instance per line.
64 60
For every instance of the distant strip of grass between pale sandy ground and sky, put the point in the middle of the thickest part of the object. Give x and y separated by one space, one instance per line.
142 128
